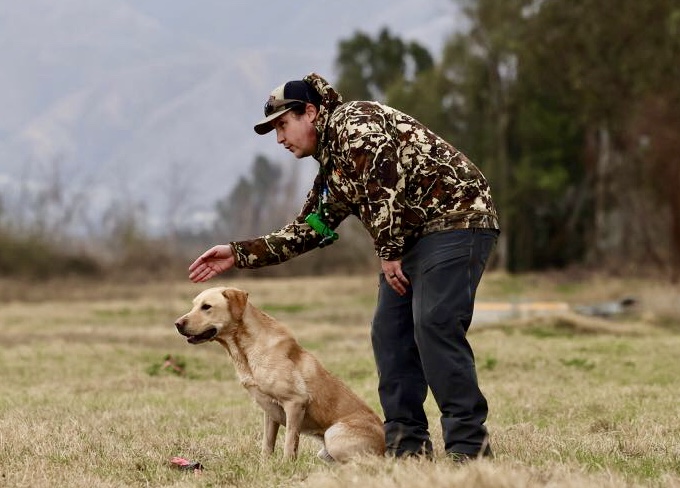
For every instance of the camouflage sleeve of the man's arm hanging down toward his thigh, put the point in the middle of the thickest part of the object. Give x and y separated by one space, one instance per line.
376 157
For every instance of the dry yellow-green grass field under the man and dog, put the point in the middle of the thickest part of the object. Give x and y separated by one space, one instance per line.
85 399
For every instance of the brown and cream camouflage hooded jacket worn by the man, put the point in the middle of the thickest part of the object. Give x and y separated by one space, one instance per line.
386 168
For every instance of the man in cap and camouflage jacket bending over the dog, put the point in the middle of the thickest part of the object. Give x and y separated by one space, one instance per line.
434 224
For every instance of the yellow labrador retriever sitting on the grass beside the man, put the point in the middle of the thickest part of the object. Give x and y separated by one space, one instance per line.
288 382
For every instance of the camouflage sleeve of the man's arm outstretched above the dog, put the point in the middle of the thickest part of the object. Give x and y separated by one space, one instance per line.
291 240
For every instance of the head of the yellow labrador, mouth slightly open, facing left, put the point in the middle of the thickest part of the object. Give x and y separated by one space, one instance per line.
214 311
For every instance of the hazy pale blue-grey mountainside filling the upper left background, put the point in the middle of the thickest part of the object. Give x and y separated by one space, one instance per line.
143 101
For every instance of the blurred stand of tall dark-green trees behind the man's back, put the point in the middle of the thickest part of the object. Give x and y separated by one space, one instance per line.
562 104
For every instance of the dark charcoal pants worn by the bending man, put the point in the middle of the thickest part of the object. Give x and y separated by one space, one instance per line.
419 341
